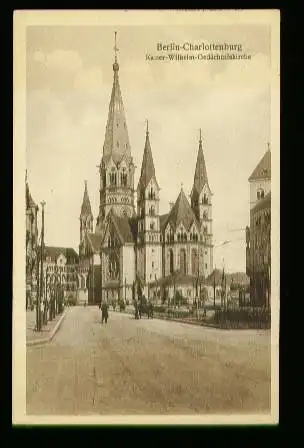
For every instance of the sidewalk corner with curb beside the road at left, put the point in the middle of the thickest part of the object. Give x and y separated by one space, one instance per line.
47 332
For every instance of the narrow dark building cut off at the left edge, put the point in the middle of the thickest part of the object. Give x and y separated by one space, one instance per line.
31 241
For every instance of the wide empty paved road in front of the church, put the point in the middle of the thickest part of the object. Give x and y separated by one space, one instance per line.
147 367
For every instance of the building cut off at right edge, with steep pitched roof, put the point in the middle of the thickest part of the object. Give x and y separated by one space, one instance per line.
258 236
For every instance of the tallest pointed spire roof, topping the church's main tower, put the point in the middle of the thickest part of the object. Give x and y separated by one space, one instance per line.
116 143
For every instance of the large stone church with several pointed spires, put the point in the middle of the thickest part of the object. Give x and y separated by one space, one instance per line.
134 246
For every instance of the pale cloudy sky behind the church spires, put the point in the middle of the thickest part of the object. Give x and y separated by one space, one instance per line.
69 80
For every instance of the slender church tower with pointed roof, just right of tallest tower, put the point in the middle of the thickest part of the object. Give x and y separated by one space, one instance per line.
148 244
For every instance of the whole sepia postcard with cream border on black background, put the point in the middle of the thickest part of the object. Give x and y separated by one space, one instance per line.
146 217
